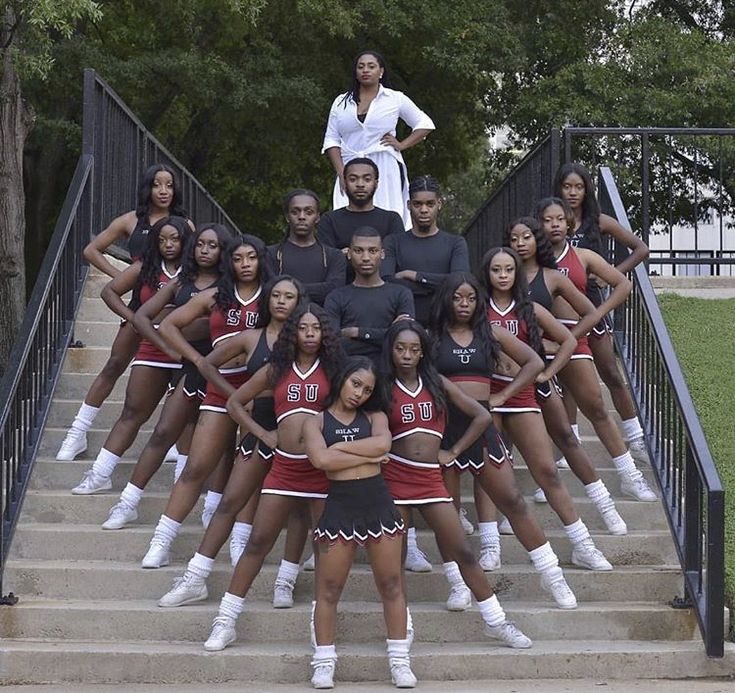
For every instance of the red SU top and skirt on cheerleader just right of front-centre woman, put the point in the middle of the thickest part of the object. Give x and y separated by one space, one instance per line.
411 482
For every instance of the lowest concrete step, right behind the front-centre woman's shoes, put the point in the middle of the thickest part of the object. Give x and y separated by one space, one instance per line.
29 661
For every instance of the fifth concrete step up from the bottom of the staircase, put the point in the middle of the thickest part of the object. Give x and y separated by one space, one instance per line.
62 506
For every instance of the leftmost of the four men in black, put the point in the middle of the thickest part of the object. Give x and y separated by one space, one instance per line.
301 255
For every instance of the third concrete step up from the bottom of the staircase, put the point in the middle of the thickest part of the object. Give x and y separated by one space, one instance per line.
72 579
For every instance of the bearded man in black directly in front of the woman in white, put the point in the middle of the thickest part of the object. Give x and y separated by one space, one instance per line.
361 181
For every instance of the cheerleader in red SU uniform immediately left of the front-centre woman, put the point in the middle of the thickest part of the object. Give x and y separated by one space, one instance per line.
305 357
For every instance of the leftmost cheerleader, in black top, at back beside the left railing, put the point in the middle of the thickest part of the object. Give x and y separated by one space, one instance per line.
159 196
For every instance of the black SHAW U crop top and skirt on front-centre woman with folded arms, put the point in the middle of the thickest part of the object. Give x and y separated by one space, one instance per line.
359 510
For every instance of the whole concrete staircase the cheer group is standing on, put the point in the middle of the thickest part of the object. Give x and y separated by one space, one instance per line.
87 612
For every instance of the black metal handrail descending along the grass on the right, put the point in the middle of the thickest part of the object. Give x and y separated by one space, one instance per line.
692 492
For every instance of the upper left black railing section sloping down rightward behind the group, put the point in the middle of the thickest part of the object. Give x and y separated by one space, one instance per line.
123 149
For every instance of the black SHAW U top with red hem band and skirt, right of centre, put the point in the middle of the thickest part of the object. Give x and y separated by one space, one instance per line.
467 364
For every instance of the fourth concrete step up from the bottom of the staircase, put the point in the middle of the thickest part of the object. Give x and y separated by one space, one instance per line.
50 542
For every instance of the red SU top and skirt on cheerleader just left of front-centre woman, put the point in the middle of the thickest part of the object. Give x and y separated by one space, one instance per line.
292 474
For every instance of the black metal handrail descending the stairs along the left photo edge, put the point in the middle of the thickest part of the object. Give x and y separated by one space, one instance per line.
37 356
